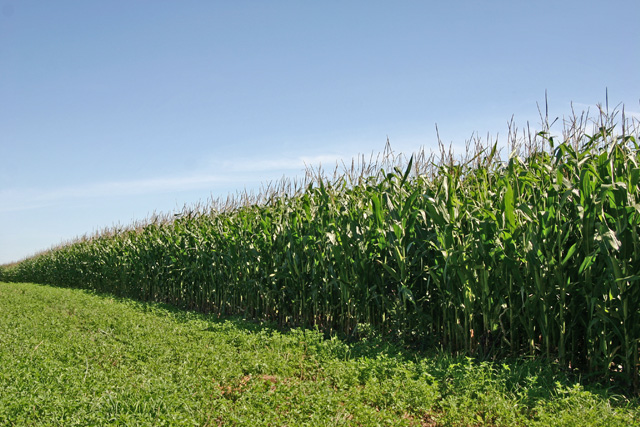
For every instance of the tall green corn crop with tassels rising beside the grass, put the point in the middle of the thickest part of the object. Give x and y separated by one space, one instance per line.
535 253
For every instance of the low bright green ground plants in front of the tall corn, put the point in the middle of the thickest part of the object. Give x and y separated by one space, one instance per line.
72 357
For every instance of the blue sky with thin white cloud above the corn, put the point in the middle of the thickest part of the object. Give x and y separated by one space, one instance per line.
113 109
